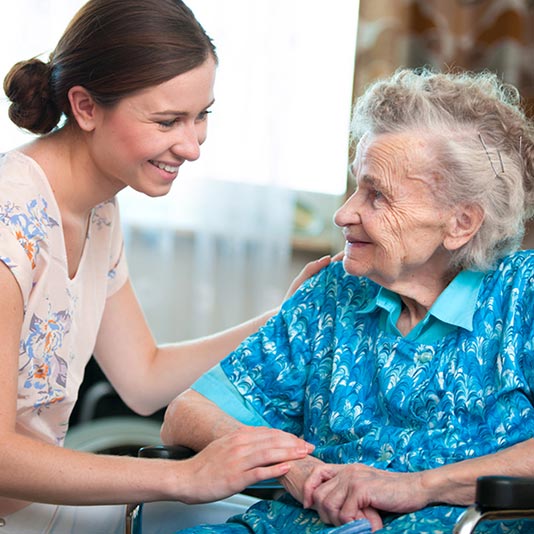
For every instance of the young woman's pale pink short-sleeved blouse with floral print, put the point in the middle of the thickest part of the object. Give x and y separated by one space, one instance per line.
61 314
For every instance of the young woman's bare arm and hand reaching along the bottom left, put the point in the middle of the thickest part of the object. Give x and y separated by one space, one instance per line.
31 470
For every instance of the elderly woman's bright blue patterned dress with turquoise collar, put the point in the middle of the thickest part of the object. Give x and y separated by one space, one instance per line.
326 368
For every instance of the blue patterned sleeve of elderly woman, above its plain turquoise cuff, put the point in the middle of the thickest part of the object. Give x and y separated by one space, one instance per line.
270 368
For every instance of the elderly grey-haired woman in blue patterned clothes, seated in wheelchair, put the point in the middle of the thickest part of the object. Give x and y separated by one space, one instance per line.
410 367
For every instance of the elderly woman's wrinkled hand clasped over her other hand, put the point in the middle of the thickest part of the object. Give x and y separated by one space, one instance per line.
342 493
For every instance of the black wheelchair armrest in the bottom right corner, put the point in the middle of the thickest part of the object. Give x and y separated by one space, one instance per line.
501 492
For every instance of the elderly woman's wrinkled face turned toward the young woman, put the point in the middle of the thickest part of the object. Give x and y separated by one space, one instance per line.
393 225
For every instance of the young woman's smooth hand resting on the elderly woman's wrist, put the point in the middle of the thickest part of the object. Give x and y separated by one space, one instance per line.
239 459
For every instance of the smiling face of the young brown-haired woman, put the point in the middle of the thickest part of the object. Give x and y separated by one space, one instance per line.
143 140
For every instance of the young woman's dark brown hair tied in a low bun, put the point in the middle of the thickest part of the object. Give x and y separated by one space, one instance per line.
112 49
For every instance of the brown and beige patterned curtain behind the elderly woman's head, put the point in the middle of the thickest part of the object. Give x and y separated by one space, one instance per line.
461 34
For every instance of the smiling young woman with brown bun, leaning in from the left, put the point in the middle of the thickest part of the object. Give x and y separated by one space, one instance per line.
123 101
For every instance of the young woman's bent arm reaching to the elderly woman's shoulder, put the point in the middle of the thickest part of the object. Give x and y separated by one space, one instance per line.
147 376
